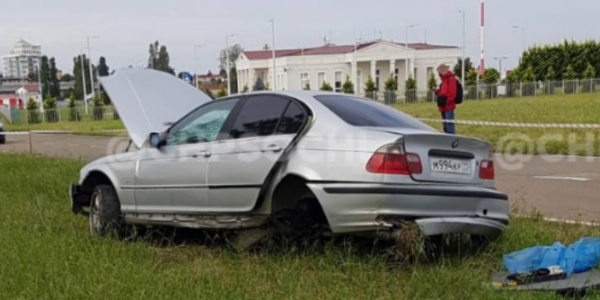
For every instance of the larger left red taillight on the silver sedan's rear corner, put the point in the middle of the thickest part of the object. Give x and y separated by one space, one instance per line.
391 159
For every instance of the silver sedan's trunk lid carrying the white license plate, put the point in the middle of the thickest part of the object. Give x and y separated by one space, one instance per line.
445 158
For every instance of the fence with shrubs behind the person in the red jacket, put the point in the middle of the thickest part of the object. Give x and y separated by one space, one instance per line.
484 91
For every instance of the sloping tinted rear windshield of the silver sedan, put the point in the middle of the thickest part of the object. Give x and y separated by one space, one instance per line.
368 113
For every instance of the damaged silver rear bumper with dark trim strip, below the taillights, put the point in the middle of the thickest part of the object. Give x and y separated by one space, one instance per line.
359 208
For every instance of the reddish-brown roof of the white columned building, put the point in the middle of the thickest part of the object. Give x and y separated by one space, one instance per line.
331 49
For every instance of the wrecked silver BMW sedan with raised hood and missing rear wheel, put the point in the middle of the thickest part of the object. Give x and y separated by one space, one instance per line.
299 158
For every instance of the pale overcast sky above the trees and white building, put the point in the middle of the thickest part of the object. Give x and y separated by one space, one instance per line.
127 27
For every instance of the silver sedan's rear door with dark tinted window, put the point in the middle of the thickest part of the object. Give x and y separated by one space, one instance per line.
240 164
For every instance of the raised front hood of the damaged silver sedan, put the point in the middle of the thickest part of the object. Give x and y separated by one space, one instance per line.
147 99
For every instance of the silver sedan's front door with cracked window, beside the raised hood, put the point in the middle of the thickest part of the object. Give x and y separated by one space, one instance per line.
172 179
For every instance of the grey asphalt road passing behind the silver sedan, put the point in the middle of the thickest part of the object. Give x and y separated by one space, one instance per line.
558 187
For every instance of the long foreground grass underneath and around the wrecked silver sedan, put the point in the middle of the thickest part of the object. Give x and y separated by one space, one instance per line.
47 253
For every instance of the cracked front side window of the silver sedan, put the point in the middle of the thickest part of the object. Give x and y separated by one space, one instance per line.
201 126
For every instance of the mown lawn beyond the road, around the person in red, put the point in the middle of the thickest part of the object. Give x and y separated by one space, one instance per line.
542 109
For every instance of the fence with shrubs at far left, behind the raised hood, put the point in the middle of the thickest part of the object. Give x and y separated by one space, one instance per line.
78 114
